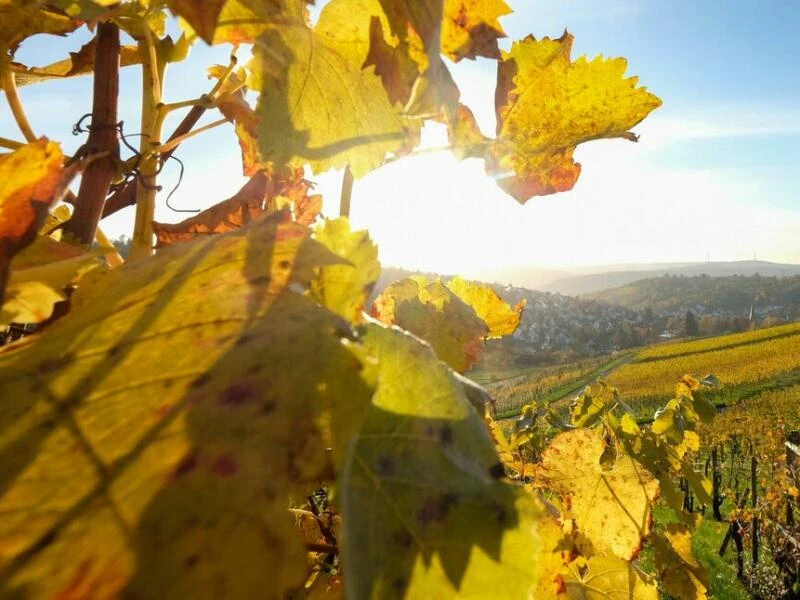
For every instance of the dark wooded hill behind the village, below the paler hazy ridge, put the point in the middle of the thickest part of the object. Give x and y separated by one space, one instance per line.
729 294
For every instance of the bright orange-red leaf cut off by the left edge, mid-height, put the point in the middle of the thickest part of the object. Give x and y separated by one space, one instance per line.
30 178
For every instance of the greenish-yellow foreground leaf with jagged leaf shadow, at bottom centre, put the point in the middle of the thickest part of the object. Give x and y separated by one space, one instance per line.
425 515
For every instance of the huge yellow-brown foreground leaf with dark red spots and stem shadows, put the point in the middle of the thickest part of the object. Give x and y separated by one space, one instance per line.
149 440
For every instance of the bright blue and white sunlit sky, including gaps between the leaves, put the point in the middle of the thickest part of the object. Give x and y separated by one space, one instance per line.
716 172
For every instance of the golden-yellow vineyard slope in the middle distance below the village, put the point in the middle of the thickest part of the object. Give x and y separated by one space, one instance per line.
745 364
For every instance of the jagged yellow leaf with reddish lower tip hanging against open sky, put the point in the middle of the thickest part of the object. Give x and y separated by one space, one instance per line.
547 104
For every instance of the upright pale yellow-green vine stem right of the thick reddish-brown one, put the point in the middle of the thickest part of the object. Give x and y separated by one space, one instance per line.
151 125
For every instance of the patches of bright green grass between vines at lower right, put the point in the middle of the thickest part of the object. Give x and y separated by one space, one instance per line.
706 540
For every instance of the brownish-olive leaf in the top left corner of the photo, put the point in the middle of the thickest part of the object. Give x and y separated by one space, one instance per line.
20 20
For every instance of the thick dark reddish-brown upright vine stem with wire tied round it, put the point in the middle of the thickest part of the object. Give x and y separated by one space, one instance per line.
102 140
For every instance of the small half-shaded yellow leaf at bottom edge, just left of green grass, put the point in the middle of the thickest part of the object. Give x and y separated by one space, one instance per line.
680 573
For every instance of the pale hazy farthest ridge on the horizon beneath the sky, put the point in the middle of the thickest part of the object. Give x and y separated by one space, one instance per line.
579 285
